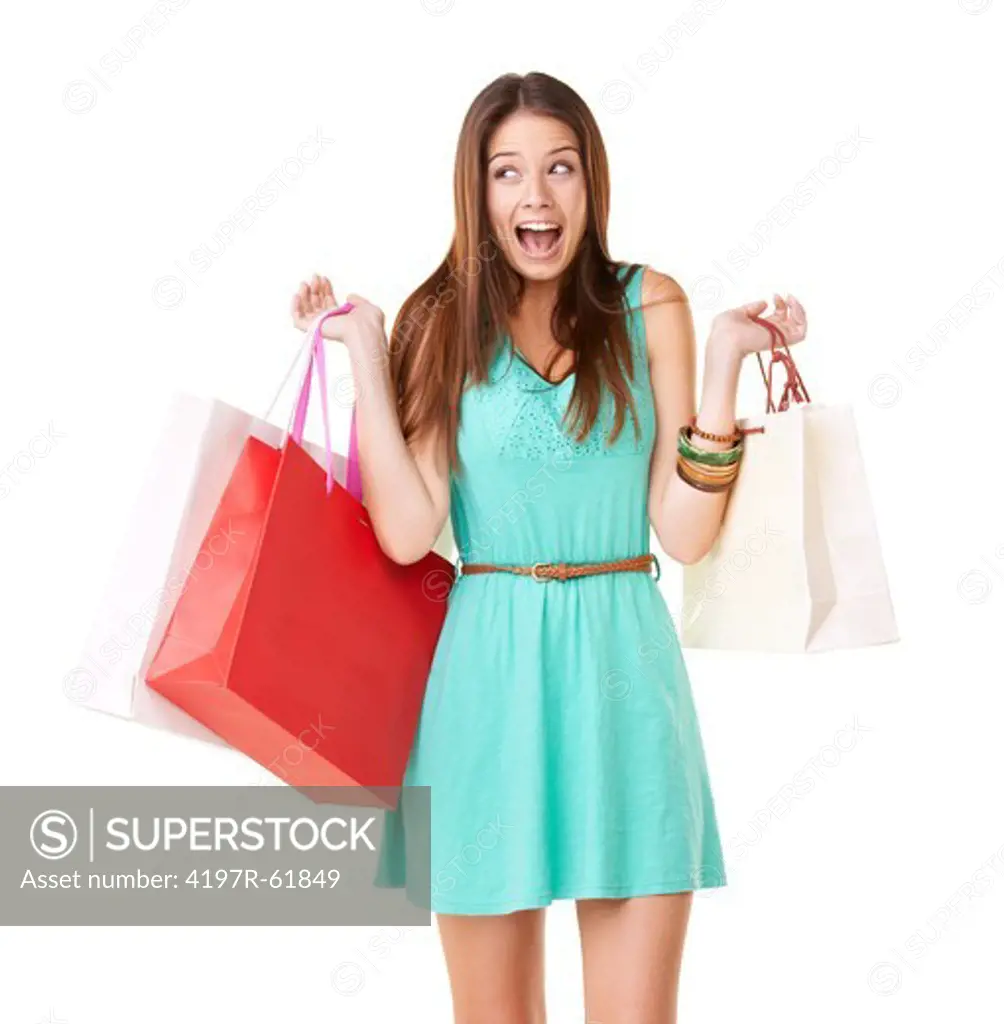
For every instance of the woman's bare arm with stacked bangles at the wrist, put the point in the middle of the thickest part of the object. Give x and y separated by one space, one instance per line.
688 521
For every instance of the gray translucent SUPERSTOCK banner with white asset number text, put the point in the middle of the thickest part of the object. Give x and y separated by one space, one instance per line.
205 856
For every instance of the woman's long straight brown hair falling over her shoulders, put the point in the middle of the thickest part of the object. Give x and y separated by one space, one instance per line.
444 335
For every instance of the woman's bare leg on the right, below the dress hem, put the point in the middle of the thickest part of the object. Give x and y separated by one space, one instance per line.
632 955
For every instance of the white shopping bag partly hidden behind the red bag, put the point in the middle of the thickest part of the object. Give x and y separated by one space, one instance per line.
194 459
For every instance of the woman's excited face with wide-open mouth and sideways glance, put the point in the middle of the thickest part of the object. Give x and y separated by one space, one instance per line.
536 194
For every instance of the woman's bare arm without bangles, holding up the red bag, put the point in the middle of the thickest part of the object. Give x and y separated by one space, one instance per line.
406 486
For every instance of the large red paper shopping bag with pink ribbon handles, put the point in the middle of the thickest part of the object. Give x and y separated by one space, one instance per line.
302 644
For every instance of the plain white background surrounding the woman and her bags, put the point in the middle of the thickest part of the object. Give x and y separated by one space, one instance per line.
876 897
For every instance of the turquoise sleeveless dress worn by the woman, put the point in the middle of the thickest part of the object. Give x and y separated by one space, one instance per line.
558 735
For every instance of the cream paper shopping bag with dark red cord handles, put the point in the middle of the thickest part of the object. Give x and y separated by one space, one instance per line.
798 566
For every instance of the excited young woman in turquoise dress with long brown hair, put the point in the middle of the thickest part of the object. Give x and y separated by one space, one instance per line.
541 396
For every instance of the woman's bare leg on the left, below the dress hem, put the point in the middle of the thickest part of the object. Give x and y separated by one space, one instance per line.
496 967
